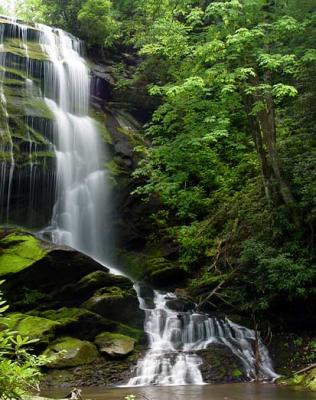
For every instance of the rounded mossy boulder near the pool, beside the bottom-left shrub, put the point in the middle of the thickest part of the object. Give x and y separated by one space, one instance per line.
70 352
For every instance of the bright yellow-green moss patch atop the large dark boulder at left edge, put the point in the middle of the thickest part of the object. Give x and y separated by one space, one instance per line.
19 251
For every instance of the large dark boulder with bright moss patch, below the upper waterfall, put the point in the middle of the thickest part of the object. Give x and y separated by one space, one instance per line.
36 271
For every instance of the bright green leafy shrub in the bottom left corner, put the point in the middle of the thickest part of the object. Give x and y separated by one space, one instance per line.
19 373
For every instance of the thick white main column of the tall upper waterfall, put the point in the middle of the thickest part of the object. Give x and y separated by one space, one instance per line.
78 216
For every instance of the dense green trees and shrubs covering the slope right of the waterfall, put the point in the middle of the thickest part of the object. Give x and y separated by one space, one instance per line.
232 155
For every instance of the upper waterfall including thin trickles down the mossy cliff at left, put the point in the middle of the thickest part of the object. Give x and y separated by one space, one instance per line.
78 183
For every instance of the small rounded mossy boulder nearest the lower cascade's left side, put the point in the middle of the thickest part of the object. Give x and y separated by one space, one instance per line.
115 345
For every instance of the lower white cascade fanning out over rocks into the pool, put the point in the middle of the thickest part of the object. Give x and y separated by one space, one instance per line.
175 337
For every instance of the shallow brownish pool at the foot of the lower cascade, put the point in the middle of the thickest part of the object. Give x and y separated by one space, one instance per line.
205 392
